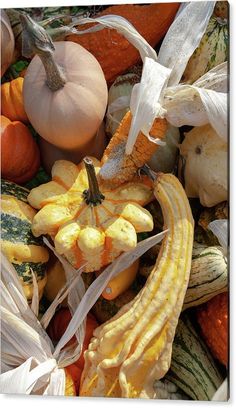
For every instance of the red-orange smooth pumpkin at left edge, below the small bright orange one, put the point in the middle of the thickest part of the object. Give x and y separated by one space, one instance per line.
20 156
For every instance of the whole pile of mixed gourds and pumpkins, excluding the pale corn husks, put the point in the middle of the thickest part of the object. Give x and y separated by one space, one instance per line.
163 321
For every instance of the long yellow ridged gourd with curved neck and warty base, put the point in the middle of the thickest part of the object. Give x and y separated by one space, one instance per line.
133 348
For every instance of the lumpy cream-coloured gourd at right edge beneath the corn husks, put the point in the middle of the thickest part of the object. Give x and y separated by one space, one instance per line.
205 168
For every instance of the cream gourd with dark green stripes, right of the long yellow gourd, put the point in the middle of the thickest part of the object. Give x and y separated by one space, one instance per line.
208 275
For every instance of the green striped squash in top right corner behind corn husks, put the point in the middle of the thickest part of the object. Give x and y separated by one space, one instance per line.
212 50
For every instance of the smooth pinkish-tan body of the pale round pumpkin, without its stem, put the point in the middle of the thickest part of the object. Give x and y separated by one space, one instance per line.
69 117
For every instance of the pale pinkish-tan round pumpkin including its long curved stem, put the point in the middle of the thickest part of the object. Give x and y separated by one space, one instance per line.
71 84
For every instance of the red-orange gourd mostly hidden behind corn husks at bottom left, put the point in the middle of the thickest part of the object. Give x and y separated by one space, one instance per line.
56 329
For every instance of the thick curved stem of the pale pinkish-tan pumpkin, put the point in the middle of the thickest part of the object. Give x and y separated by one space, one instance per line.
35 40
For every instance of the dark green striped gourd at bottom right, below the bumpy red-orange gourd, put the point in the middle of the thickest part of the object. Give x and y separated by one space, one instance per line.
192 366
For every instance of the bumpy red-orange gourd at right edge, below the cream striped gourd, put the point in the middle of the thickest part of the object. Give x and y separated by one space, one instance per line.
213 320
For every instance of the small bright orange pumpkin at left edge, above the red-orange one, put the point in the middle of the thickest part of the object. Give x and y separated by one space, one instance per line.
12 105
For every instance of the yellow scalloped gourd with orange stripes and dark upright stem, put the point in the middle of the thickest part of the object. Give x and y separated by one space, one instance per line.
90 225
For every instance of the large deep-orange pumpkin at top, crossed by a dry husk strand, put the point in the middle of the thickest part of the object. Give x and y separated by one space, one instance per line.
114 53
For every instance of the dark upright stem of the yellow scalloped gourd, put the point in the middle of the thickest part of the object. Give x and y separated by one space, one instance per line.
92 196
